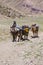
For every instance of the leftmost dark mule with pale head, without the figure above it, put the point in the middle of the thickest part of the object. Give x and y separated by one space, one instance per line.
16 34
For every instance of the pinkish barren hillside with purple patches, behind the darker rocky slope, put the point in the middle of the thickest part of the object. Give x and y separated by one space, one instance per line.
25 6
